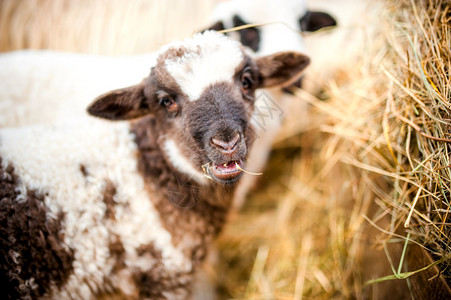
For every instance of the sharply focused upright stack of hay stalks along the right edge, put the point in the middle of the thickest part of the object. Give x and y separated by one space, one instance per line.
417 124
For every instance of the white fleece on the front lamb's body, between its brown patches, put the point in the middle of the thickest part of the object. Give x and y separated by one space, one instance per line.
48 159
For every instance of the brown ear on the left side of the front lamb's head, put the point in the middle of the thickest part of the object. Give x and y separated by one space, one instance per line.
121 104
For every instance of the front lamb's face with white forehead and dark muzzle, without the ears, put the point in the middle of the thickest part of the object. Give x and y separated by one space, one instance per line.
203 95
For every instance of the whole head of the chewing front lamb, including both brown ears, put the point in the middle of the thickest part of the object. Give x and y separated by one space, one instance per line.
200 95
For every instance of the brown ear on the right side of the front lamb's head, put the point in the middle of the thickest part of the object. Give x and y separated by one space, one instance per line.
282 68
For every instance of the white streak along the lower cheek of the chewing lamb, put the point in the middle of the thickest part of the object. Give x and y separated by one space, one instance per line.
181 163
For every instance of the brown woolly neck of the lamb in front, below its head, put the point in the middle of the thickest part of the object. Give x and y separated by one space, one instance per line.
186 208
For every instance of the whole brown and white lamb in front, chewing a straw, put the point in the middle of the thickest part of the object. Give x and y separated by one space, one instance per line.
90 207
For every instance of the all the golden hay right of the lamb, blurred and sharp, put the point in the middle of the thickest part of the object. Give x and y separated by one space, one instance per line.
347 203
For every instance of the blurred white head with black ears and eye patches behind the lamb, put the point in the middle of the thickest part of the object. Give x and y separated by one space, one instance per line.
282 21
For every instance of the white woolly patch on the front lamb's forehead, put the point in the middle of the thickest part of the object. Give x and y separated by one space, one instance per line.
210 58
